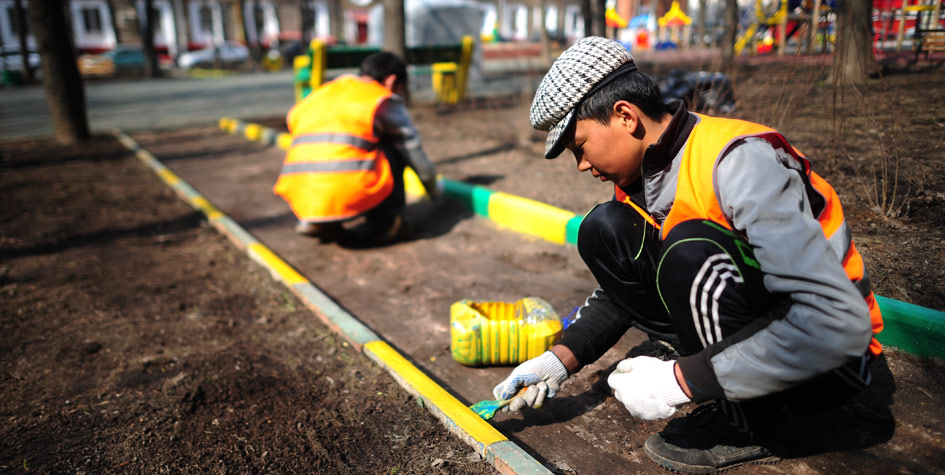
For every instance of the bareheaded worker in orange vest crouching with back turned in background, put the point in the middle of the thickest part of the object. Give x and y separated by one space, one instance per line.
351 139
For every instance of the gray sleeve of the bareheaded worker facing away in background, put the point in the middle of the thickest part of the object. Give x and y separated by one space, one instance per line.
392 122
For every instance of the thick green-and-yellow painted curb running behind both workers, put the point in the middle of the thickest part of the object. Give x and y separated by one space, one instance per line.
910 328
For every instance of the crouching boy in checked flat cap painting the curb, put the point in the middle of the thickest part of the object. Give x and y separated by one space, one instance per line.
722 245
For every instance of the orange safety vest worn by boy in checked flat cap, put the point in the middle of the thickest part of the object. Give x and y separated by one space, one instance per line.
696 197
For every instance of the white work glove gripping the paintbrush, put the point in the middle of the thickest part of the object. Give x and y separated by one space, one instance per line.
542 374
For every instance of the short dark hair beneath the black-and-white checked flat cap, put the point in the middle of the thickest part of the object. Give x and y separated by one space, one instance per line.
637 88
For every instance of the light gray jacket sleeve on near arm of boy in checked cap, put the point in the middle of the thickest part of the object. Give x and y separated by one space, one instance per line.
762 194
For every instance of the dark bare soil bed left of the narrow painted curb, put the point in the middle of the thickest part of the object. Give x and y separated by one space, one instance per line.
134 338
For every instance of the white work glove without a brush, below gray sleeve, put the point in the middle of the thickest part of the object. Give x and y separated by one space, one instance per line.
647 387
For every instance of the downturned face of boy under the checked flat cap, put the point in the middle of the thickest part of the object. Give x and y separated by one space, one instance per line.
610 152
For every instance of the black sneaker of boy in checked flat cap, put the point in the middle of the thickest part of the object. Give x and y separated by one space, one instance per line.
705 442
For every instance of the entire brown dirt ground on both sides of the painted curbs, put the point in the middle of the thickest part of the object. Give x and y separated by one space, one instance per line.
136 339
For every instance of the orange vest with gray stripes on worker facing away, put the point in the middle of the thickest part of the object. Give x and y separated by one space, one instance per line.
335 168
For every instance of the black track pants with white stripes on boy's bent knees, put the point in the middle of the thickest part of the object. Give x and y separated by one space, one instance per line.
697 287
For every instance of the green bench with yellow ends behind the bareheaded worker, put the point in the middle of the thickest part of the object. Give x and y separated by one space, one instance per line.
448 64
